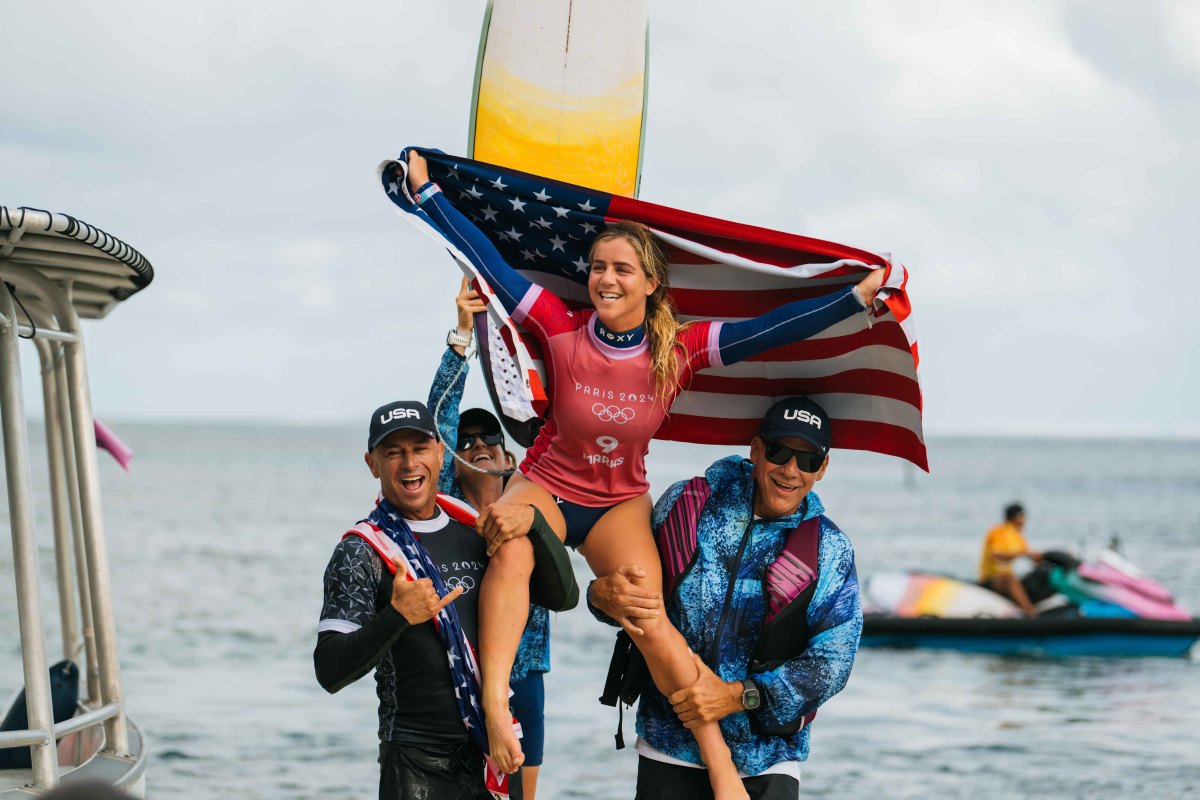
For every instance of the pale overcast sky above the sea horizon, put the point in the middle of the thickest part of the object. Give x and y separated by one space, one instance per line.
1035 165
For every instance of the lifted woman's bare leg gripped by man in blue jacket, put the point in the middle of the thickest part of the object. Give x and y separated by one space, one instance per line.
623 537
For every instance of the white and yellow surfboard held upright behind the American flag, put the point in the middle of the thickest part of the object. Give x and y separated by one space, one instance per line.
561 89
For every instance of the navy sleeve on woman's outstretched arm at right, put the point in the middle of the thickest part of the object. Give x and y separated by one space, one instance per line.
790 323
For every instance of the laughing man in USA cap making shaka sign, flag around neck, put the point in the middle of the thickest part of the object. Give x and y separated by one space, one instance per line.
401 598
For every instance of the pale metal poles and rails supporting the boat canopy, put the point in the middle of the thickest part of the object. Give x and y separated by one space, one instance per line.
37 304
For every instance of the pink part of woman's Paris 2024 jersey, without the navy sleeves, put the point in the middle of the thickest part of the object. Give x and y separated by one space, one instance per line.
603 408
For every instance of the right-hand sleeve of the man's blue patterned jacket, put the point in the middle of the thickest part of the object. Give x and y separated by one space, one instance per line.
836 621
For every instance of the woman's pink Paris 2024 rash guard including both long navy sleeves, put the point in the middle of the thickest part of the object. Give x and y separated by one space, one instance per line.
604 408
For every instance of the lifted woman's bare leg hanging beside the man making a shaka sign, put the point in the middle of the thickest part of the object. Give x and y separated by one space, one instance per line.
503 613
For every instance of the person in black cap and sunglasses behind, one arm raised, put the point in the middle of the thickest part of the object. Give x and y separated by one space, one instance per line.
477 438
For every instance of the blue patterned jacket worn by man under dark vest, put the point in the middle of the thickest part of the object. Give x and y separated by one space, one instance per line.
797 687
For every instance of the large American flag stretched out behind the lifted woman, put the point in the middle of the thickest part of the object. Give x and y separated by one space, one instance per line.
862 371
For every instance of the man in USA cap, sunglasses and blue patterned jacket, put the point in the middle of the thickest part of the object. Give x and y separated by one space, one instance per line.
754 534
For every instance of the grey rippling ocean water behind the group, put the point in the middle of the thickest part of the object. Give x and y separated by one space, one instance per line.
220 536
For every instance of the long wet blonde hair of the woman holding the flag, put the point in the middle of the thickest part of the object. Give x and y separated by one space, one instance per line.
663 326
